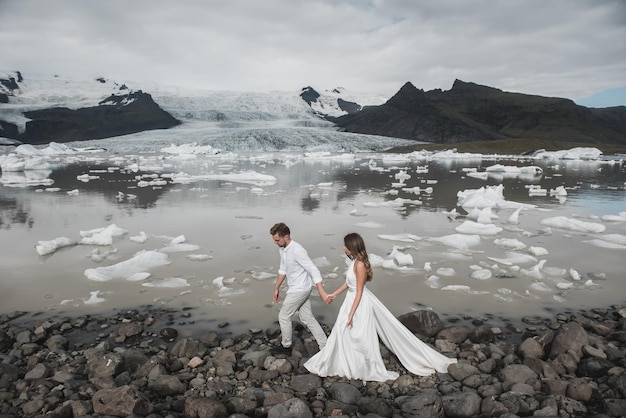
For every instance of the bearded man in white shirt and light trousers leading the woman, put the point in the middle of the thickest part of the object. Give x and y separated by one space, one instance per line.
301 274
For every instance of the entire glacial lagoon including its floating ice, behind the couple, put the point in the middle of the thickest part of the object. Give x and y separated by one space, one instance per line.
187 227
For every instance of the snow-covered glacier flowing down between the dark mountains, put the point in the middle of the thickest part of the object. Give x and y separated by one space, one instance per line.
232 119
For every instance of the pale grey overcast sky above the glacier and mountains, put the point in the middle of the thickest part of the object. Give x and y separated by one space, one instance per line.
561 48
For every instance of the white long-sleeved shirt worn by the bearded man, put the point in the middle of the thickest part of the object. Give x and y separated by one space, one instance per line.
297 266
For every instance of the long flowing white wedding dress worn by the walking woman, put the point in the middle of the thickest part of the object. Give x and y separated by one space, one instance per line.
354 352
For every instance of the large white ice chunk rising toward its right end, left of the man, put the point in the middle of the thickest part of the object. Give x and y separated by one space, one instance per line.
139 264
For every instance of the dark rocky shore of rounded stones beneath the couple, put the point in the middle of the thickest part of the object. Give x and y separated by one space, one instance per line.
137 363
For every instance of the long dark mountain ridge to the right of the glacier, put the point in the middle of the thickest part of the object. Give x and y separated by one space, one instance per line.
471 112
